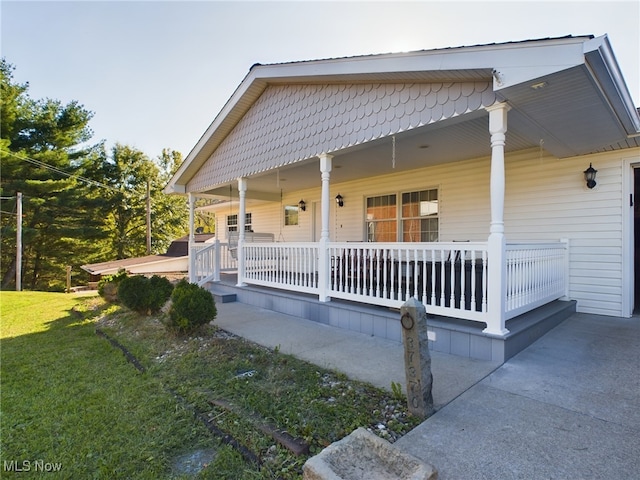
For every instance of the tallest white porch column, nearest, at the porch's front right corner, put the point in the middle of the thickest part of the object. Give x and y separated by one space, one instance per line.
497 269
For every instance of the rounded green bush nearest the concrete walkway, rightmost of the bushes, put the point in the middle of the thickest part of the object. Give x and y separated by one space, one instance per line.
191 307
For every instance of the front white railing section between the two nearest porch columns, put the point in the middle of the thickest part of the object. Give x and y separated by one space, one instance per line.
448 277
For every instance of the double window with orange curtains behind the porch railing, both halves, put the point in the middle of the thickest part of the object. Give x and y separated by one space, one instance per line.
417 217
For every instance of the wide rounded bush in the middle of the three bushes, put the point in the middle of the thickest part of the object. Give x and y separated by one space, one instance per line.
144 295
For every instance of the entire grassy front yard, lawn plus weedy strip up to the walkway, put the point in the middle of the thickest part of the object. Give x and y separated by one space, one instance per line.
69 396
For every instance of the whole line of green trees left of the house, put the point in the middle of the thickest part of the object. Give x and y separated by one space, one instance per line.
82 202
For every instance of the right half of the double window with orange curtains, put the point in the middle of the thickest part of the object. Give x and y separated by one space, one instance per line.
420 216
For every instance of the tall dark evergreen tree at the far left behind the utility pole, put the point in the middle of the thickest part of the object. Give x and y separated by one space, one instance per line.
43 157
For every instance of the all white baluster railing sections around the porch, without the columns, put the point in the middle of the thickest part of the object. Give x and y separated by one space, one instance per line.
450 278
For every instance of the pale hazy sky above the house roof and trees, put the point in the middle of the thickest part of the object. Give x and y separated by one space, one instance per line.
156 73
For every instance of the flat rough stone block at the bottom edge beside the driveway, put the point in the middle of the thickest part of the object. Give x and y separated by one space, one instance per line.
365 456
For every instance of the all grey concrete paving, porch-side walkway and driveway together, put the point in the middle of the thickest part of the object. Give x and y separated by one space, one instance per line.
567 407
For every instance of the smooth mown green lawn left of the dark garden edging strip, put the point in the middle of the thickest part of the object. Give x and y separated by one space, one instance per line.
70 399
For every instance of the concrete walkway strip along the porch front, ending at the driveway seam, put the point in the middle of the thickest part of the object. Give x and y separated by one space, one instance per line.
362 357
